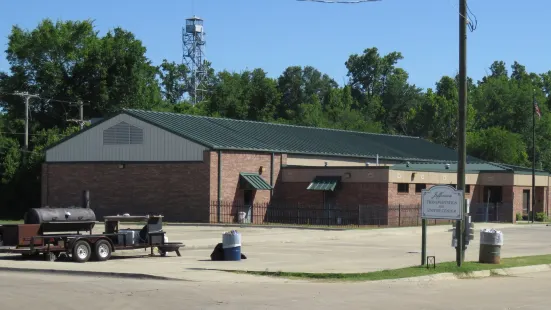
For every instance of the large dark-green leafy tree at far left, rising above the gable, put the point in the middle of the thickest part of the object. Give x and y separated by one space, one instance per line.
68 61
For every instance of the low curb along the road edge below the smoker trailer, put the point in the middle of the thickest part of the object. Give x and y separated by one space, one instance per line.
123 275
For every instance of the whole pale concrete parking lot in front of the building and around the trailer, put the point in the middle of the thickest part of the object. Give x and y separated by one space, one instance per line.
281 249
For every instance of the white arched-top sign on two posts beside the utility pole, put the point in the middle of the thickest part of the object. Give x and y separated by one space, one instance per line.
440 202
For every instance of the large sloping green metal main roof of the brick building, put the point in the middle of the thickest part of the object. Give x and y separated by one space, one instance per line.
229 134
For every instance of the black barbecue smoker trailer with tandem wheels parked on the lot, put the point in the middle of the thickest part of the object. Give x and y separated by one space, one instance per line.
53 231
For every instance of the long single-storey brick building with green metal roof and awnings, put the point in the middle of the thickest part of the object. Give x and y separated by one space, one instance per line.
202 169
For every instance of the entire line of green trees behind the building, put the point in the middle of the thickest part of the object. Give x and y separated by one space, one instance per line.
70 61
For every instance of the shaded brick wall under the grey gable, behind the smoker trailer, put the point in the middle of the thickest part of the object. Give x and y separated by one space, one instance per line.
179 191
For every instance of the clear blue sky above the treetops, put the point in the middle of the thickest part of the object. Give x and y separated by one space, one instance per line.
274 34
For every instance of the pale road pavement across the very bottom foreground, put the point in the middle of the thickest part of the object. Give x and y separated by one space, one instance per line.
53 292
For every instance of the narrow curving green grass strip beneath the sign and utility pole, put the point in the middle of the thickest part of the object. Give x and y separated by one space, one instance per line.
447 267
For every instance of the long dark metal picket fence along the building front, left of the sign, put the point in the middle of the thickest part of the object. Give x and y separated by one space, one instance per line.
315 215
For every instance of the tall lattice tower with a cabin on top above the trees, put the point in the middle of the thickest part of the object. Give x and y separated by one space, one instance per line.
193 39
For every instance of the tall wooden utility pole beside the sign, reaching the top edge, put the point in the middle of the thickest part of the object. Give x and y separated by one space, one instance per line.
462 149
